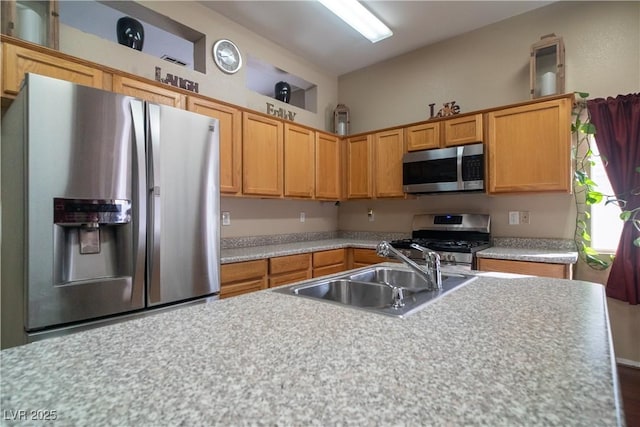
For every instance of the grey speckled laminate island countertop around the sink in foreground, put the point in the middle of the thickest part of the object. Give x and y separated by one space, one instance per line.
499 352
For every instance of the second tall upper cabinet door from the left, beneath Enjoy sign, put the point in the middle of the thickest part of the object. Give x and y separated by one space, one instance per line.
262 146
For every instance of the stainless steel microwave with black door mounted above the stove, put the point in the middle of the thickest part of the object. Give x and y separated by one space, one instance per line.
444 169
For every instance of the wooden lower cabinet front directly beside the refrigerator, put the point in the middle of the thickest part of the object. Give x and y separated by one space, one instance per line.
242 277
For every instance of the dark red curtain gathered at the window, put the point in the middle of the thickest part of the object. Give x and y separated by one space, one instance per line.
617 122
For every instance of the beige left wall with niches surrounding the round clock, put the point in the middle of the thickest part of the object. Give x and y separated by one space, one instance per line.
216 84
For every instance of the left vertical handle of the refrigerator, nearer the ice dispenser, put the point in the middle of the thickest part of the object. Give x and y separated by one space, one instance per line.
140 185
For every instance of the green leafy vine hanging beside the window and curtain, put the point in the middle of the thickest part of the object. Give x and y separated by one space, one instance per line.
585 189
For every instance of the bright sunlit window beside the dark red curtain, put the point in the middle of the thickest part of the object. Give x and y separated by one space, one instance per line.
606 224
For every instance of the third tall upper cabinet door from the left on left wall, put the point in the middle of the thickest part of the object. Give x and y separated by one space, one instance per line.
299 149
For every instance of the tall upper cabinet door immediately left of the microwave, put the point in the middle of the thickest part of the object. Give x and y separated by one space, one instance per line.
388 151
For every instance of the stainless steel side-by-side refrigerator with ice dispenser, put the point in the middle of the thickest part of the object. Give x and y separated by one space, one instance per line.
110 205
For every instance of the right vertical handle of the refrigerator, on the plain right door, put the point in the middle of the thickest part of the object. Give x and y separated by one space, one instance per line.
153 240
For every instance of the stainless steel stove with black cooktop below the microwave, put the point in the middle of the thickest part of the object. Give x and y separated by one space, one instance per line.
455 237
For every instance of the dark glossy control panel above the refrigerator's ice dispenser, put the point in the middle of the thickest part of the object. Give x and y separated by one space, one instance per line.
75 212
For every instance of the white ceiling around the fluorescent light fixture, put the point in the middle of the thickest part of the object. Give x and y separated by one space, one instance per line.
308 29
